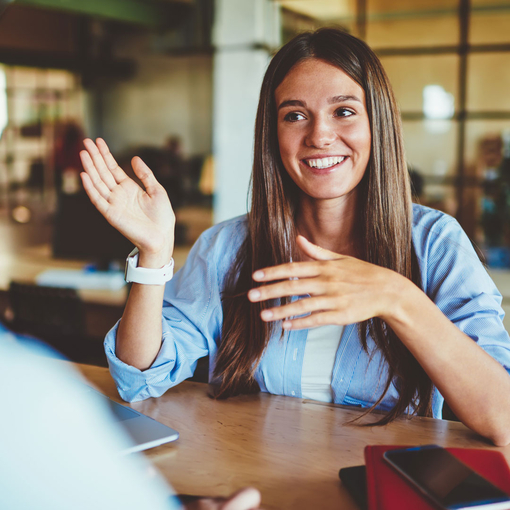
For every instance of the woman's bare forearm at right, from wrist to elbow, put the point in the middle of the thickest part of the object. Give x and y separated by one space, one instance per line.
476 387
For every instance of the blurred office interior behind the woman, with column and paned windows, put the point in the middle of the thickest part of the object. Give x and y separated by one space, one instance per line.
177 82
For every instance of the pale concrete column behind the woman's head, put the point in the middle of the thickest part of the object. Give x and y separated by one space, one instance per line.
245 33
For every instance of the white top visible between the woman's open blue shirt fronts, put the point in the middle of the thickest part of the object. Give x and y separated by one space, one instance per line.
318 362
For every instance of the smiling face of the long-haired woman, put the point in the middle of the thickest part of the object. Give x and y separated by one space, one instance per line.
323 129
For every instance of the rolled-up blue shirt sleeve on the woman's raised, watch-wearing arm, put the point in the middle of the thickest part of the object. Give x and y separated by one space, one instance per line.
191 322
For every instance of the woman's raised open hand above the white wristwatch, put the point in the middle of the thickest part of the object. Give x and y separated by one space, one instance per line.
145 217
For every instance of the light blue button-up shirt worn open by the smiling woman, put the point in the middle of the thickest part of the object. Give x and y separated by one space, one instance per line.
452 277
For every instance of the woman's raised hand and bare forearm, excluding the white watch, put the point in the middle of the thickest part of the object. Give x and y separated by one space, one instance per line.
145 217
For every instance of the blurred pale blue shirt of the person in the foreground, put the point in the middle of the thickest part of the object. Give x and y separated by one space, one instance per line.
59 449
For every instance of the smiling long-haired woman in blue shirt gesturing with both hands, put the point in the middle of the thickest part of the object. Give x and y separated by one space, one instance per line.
393 293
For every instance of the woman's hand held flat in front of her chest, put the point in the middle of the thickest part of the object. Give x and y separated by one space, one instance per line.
342 290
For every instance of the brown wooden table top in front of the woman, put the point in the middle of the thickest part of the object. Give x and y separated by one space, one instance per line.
289 448
